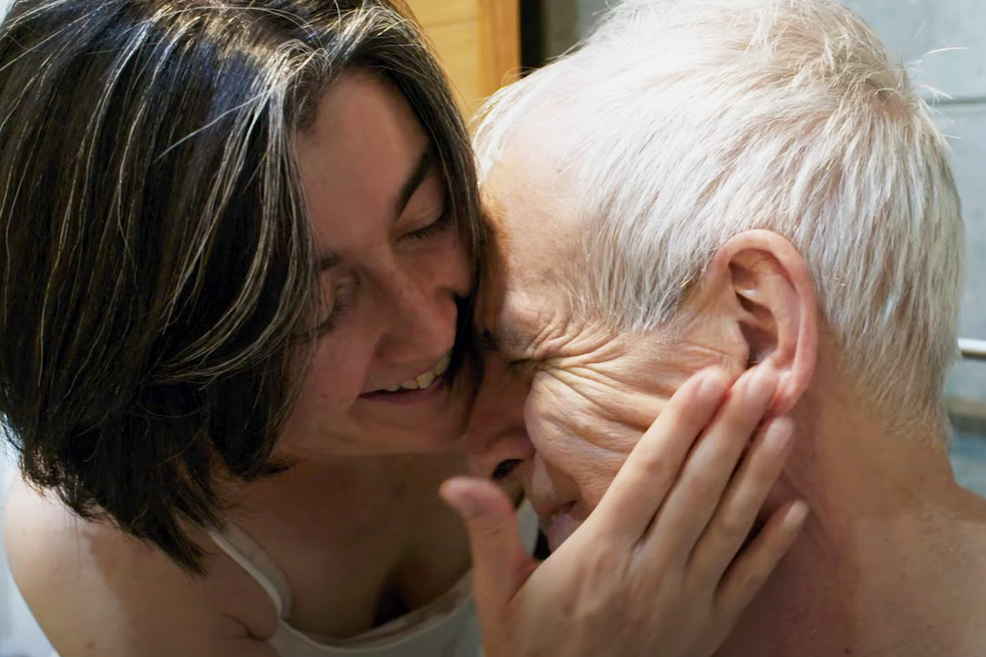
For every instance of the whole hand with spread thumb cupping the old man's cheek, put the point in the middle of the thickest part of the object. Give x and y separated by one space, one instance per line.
660 566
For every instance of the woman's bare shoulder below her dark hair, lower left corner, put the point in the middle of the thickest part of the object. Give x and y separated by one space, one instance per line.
96 591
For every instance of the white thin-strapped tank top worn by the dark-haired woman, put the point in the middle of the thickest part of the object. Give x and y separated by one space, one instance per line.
447 627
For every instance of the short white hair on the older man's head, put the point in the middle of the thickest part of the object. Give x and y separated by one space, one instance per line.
690 121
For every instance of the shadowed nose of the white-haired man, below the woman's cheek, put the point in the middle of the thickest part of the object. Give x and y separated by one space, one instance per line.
497 437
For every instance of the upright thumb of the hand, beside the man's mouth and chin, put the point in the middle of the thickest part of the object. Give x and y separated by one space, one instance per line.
501 565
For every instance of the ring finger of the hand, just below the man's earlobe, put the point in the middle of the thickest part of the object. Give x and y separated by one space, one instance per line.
745 496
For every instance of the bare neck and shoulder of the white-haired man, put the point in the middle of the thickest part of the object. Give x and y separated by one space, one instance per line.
891 561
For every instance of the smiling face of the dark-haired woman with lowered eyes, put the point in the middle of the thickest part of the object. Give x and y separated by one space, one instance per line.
393 269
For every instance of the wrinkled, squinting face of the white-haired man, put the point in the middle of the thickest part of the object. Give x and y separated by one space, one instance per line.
591 391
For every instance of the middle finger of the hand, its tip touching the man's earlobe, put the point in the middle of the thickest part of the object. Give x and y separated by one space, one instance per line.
697 492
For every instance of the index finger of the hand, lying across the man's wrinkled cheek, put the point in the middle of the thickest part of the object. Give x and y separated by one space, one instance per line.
639 489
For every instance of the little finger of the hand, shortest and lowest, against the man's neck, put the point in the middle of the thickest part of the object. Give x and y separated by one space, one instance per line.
748 573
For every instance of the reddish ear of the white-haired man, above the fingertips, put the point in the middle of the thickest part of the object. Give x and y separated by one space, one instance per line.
775 308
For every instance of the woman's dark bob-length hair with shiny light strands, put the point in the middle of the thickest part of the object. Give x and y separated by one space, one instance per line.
159 279
